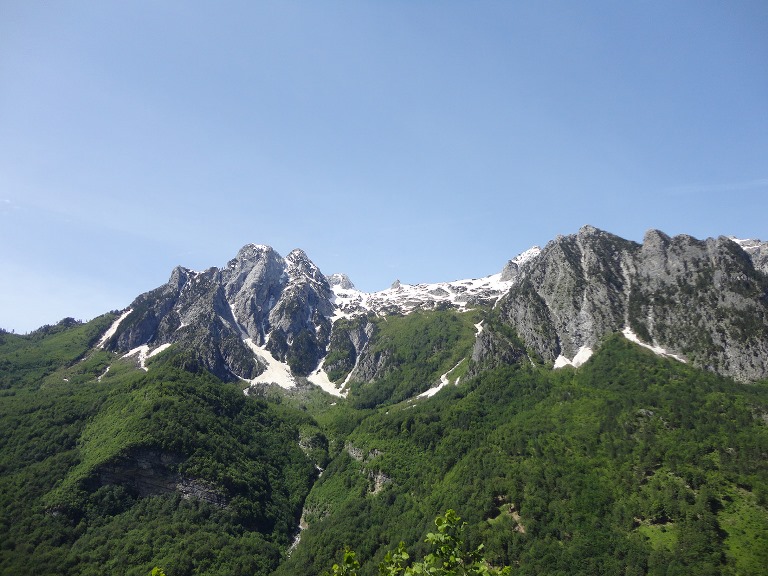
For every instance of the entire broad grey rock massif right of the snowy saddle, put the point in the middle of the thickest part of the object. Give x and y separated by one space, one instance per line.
704 300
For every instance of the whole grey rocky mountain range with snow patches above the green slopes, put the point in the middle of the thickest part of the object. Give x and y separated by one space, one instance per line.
703 301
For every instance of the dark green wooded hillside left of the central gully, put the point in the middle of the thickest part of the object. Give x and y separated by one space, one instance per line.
118 471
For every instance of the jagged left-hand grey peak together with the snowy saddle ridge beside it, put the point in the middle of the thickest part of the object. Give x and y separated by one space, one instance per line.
262 309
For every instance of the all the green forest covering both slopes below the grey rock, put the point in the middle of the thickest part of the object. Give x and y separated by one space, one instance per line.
630 464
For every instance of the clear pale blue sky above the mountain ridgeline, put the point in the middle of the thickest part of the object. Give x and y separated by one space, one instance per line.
424 141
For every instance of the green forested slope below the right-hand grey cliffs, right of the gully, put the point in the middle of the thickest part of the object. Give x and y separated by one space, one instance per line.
632 464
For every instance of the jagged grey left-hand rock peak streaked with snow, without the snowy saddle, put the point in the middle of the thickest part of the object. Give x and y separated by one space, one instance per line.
256 296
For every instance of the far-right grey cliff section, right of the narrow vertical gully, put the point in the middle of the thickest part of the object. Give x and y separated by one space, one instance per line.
704 300
